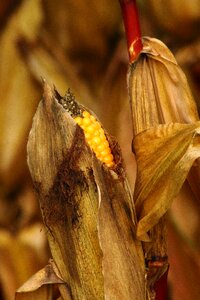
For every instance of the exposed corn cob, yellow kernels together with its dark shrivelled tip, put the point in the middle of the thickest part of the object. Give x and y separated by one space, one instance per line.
93 131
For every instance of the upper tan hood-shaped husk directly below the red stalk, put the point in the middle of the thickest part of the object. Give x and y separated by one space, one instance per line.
158 89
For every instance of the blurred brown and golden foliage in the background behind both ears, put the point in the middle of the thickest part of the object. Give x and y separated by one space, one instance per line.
81 45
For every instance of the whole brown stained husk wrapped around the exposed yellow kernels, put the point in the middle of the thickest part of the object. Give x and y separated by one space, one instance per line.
82 203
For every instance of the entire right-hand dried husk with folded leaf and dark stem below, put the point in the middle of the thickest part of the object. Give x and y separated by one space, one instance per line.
159 94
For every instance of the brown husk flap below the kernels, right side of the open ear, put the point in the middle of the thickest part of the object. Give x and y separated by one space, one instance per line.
121 251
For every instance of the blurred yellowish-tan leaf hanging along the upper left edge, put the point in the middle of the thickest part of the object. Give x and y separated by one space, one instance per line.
18 92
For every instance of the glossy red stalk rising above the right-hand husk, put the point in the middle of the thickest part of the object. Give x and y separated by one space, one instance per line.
132 28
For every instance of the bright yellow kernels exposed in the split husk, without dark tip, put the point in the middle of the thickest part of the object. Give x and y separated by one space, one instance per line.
95 137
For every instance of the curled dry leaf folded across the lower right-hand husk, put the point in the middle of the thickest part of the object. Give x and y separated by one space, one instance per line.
172 148
